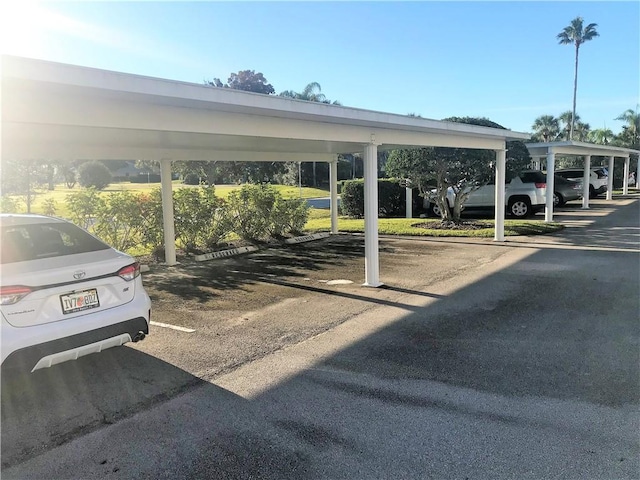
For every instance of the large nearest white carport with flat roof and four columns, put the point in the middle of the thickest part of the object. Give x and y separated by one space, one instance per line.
53 111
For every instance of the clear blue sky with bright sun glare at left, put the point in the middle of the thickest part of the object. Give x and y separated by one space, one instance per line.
499 60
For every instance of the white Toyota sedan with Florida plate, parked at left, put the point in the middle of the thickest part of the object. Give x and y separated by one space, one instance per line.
64 293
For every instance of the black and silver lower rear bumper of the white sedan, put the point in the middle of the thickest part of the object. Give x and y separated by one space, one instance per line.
50 353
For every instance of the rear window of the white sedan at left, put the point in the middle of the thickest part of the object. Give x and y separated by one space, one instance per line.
31 242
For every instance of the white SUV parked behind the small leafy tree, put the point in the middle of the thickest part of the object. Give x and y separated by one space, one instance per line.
525 194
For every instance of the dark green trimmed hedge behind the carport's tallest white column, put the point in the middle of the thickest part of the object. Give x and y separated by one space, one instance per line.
391 199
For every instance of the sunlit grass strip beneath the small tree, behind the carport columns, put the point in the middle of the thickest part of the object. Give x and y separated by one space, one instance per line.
320 221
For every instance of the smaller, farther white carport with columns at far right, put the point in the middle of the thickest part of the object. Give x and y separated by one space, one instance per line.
549 150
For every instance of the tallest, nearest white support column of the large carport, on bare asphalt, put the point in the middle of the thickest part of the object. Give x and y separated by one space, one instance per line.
371 257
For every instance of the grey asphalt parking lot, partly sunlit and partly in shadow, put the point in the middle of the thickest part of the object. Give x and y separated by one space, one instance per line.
477 359
